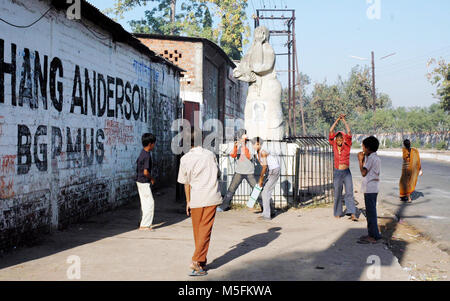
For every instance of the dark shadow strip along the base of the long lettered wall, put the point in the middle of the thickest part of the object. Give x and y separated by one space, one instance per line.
123 219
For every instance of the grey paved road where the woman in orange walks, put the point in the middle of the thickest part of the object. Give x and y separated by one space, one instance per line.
430 209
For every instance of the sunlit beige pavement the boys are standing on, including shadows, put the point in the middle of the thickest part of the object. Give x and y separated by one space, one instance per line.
302 244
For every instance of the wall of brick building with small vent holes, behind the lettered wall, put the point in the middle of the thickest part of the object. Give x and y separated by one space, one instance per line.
208 80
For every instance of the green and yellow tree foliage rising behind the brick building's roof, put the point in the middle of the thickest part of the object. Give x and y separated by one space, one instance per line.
194 19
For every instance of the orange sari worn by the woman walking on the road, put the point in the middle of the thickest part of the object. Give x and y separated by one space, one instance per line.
410 171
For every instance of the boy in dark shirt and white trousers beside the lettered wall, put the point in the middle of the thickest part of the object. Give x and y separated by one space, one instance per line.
143 180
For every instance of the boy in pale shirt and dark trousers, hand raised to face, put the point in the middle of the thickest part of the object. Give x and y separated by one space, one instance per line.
370 166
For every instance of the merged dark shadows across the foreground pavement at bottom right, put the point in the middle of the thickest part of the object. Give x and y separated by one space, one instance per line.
344 260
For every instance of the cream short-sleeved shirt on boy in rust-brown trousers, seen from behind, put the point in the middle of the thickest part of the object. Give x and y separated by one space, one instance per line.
199 169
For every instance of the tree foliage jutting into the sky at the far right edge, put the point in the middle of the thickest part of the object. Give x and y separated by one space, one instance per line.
440 76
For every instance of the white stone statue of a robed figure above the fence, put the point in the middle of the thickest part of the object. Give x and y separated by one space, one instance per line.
263 114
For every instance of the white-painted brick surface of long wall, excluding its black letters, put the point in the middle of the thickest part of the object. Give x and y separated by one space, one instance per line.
65 191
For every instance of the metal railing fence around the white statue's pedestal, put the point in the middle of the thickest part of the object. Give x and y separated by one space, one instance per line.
306 172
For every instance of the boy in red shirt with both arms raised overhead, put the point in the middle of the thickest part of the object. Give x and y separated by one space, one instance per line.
342 143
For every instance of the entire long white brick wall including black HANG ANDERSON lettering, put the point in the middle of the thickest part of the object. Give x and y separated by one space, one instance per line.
66 155
